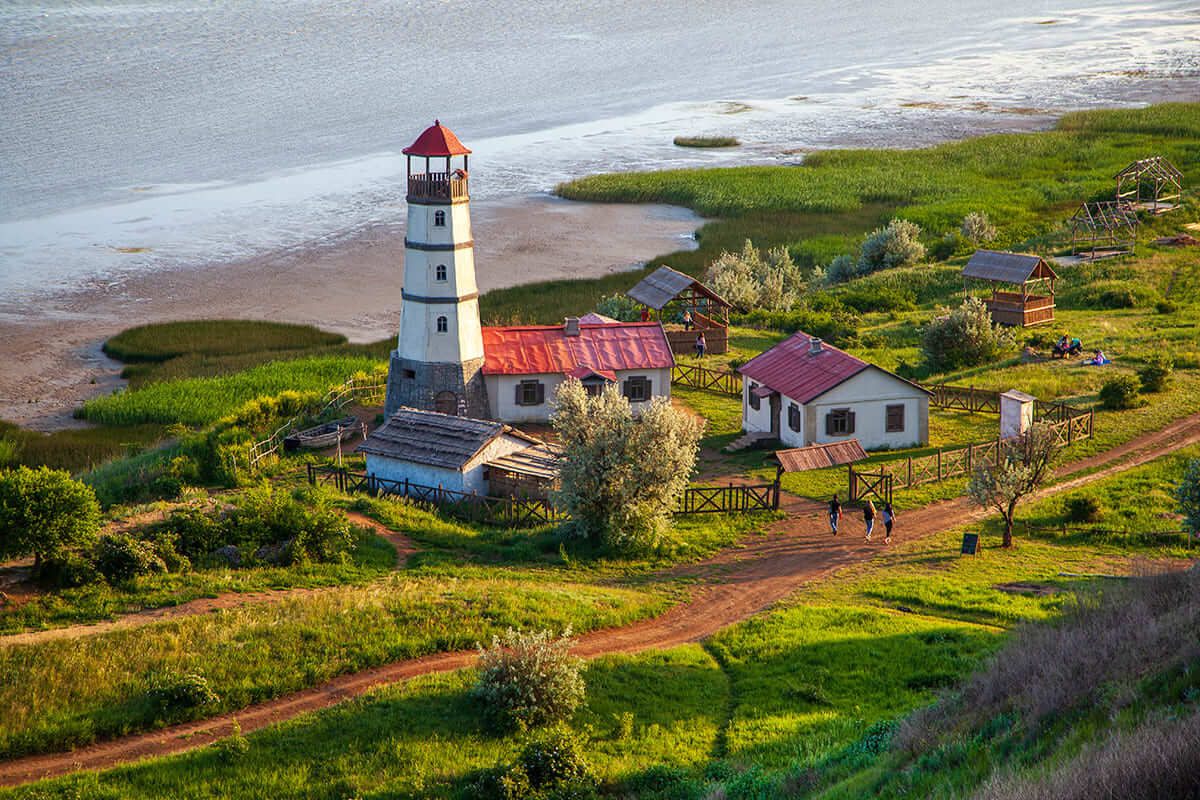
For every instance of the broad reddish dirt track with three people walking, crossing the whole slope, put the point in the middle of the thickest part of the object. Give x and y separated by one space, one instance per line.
743 582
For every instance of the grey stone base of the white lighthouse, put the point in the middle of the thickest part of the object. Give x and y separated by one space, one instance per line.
454 388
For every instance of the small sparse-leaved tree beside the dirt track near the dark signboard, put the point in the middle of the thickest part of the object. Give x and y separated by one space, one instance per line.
1024 465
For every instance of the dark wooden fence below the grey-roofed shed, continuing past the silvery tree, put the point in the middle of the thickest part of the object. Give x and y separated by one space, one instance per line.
536 512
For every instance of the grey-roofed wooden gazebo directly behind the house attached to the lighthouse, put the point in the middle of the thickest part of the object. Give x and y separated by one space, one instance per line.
669 293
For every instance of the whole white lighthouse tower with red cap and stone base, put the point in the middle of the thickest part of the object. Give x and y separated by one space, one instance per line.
437 362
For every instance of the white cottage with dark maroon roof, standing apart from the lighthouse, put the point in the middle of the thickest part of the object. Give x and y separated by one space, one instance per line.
805 392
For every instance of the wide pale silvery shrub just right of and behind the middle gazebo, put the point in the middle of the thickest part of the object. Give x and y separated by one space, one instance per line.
748 280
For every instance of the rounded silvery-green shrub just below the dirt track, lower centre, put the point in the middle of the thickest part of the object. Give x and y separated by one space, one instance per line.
529 679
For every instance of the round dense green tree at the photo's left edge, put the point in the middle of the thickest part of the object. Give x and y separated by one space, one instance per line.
44 513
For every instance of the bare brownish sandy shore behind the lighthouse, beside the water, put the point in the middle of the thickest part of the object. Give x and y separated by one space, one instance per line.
50 351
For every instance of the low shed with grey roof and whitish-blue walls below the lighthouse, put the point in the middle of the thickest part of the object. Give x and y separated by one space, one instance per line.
443 452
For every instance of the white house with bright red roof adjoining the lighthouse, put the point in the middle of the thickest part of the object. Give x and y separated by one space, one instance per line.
525 364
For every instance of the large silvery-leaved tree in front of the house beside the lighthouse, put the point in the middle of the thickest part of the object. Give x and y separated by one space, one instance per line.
621 478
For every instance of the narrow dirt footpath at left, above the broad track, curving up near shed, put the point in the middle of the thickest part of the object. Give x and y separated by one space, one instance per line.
404 545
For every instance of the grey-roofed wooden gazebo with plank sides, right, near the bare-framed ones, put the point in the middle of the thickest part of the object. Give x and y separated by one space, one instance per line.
1018 309
